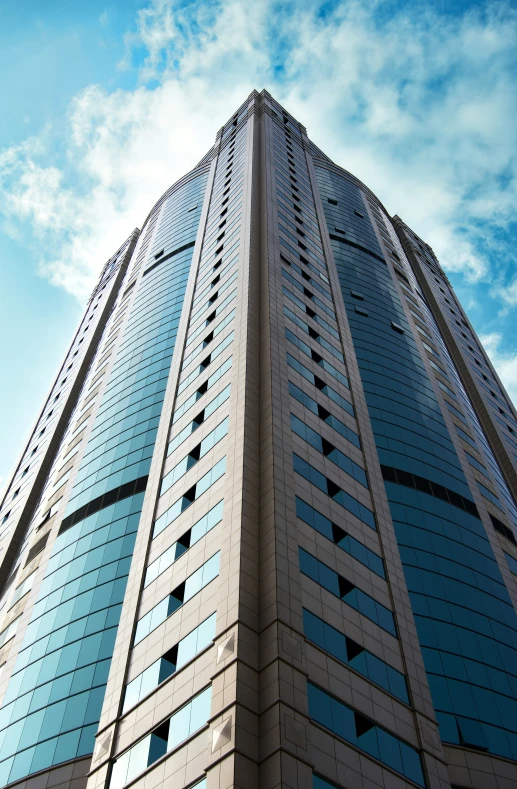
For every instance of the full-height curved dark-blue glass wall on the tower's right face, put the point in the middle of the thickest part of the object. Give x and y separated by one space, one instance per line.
466 624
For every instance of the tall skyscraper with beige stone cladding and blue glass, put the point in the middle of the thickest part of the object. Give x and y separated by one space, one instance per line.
263 533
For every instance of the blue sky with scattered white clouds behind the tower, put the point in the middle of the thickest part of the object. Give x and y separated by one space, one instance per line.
105 104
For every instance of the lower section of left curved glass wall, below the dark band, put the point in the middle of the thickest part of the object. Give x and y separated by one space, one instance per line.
53 701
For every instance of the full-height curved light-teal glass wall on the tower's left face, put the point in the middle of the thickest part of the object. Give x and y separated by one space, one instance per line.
52 705
